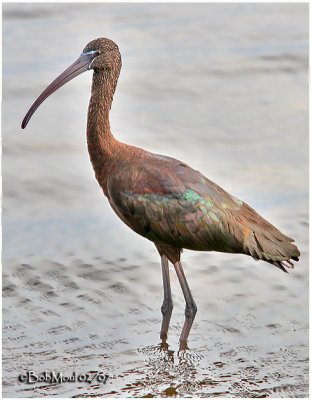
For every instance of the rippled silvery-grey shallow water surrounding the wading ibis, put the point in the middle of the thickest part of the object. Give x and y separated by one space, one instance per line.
222 87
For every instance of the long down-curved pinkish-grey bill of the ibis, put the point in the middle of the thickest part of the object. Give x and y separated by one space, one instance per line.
75 69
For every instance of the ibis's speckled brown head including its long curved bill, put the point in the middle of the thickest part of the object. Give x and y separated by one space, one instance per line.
100 55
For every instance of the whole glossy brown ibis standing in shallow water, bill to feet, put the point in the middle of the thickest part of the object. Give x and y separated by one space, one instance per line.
164 199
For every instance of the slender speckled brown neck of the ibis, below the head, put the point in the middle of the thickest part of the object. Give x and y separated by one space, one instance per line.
101 143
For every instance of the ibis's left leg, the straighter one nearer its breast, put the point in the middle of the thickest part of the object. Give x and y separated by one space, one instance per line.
167 305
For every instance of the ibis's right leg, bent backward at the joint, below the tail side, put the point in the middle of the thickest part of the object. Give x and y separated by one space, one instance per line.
191 307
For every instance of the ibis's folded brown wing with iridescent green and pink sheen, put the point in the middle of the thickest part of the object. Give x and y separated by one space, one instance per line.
168 202
